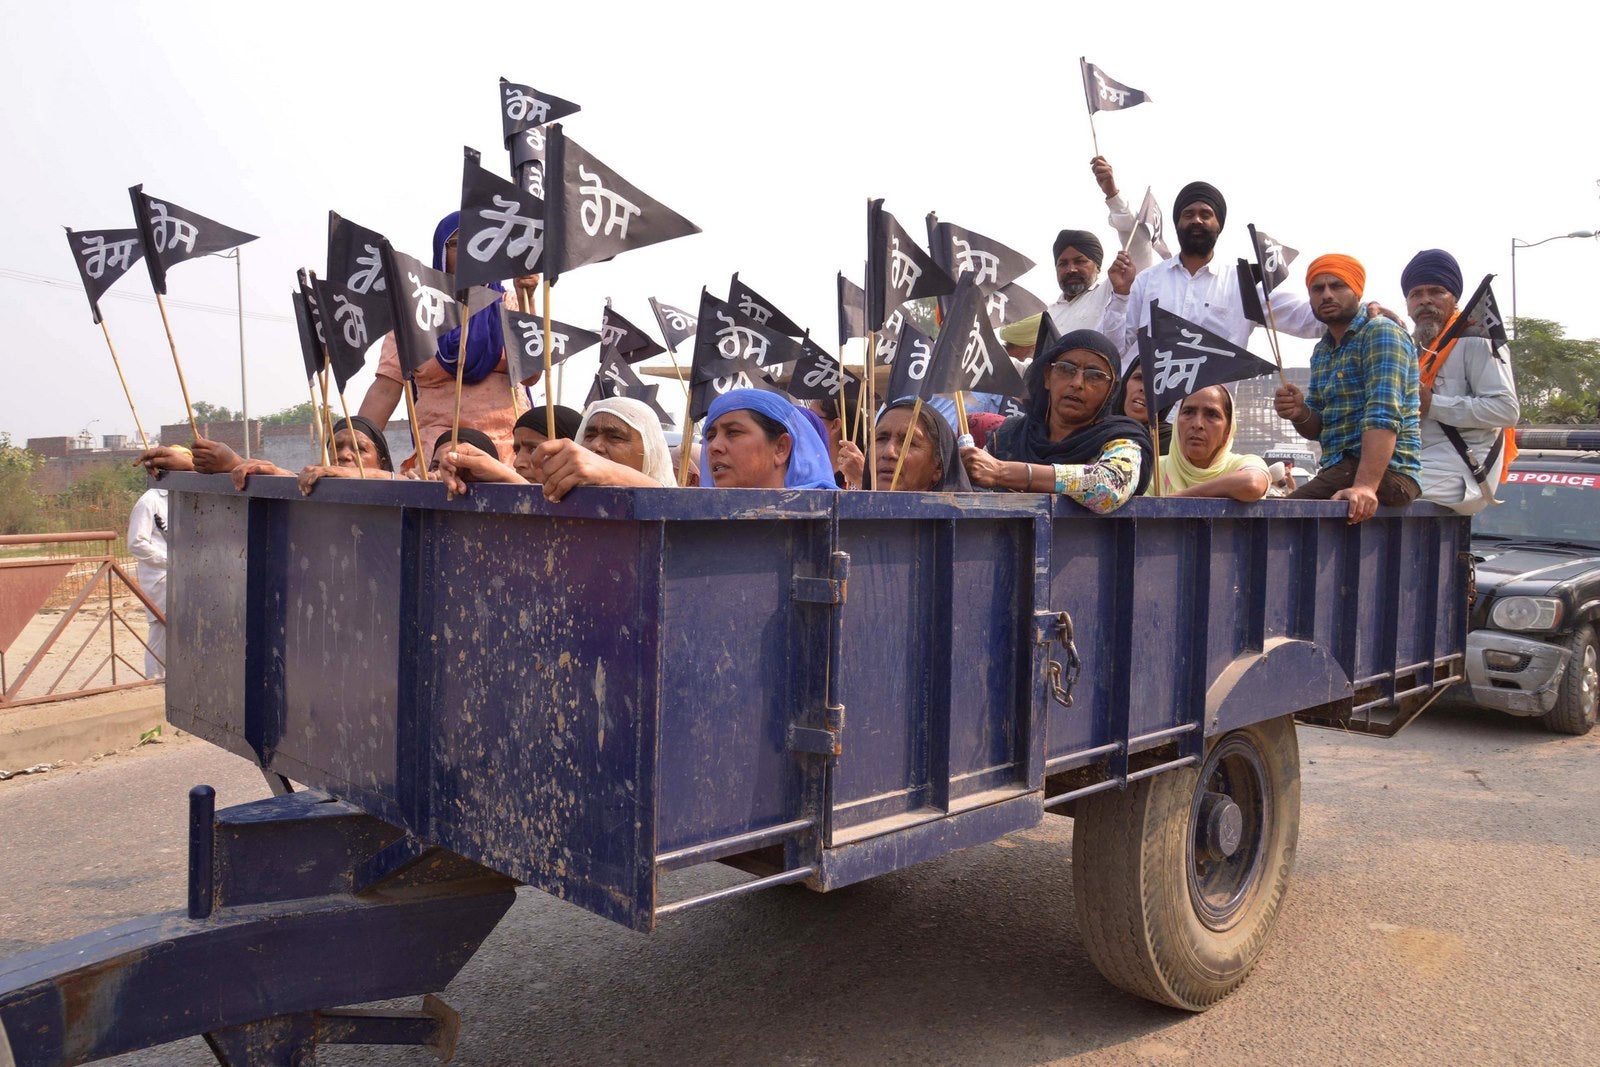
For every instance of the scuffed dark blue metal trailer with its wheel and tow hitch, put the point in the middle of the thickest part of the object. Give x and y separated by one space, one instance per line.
809 687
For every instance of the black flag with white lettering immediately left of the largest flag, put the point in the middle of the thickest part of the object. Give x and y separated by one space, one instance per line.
502 228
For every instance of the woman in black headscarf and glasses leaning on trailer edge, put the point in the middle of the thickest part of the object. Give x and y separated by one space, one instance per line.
1070 442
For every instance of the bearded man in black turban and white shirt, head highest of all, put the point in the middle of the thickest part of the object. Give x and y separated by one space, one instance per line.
1191 286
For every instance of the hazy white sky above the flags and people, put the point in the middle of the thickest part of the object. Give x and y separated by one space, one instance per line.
1375 130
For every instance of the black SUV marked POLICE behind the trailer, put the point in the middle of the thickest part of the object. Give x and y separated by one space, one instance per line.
1534 647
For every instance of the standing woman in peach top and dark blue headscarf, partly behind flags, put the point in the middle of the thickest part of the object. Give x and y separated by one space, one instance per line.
486 390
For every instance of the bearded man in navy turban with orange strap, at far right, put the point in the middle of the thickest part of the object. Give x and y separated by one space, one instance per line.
1468 396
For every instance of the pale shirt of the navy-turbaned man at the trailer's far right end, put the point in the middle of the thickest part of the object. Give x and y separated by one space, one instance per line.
1476 394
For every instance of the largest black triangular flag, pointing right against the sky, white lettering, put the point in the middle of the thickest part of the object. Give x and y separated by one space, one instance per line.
594 215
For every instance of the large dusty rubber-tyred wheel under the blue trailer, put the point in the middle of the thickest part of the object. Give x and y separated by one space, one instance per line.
1180 879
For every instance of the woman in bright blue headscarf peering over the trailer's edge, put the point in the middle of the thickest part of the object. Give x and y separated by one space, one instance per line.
759 441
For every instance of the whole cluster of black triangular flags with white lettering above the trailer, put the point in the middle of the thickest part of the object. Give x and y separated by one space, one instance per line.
564 209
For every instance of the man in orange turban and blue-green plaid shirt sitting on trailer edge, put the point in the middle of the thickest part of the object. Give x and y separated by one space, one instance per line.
1362 404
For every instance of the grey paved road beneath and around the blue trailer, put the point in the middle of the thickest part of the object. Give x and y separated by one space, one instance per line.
1444 913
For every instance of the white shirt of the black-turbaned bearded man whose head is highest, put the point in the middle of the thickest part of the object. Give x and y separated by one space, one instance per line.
1207 298
